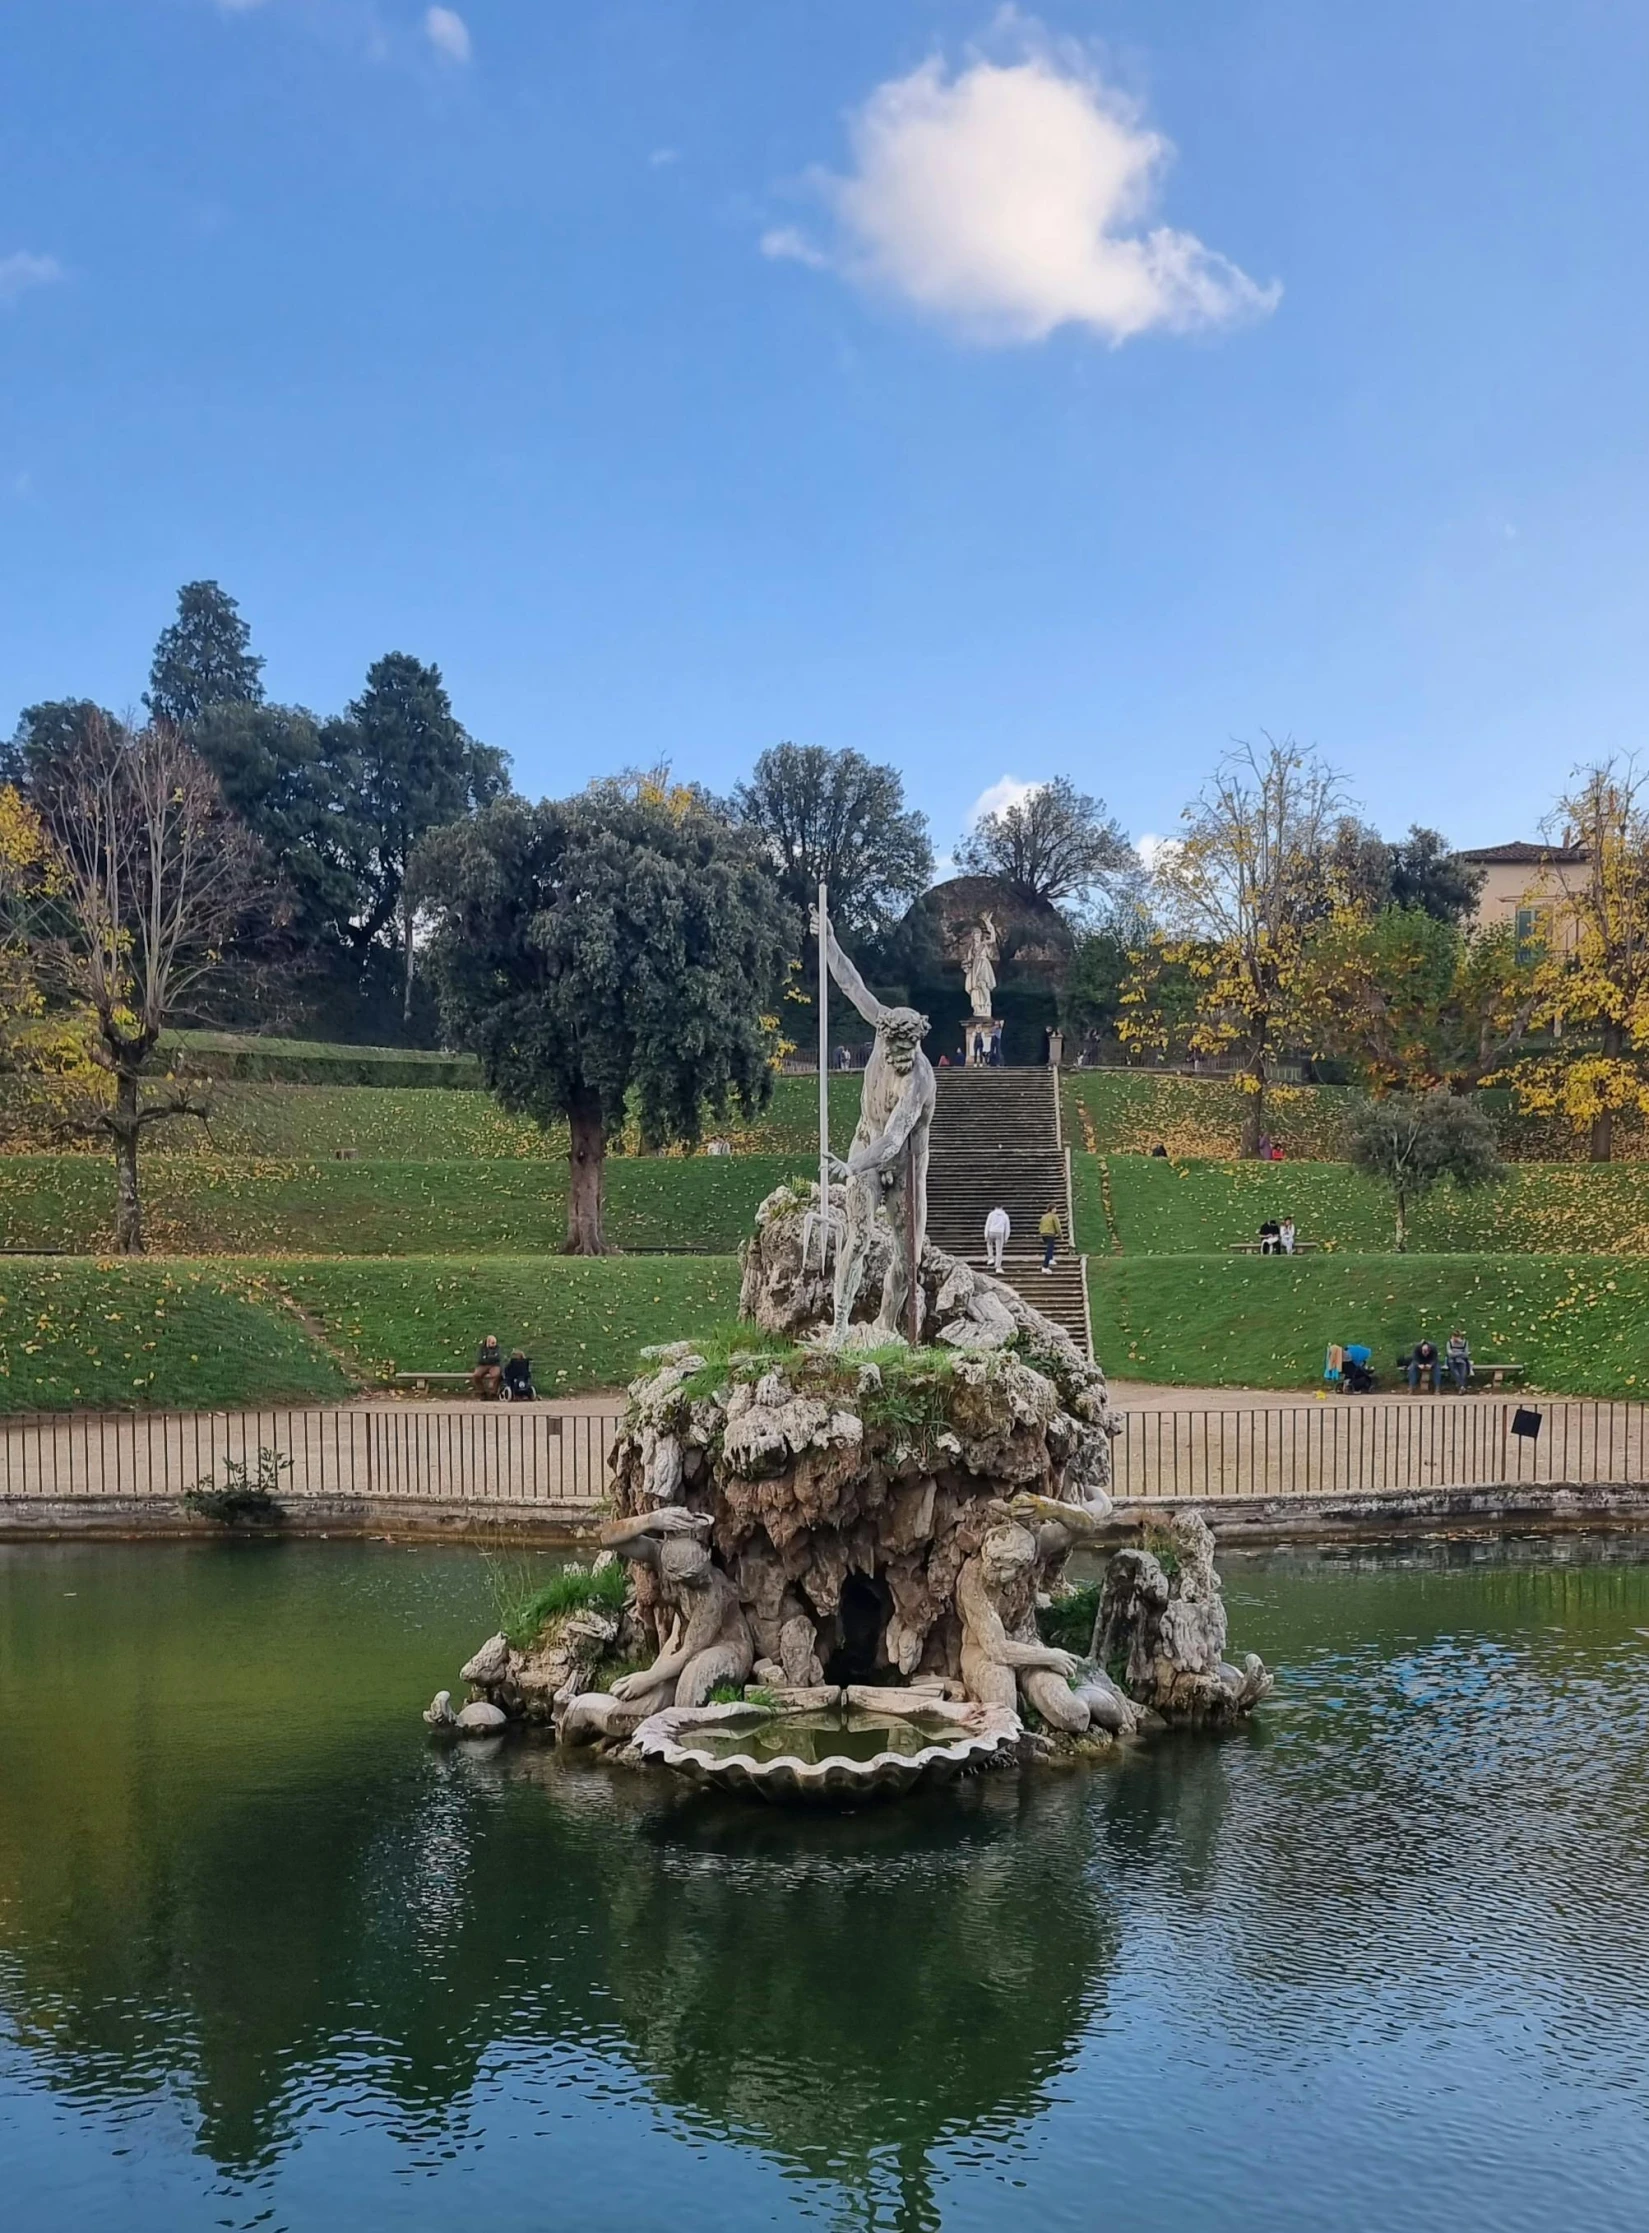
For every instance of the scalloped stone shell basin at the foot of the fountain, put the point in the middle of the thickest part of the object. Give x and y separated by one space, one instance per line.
964 1741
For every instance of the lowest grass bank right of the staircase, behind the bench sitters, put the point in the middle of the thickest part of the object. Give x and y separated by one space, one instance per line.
1581 1325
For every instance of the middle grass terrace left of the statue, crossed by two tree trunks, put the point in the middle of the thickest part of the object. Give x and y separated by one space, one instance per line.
265 1207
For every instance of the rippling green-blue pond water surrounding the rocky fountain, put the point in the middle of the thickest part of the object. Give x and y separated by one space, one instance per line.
274 1959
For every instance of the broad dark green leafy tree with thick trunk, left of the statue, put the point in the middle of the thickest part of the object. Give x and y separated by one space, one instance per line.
607 948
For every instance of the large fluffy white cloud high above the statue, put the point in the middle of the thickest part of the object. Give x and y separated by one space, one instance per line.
1011 200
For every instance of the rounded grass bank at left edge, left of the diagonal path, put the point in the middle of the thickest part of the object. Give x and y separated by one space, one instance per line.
175 1336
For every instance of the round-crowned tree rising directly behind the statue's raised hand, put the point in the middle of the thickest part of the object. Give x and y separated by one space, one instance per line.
841 821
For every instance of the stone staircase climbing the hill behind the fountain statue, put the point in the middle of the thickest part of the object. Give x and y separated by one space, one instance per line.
998 1142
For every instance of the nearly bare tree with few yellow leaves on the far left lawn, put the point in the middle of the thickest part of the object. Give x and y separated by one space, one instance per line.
146 883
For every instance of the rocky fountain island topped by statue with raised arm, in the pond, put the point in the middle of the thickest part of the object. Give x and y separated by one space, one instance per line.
848 1549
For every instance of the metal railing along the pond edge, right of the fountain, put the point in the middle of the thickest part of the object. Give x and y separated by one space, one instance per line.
1369 1446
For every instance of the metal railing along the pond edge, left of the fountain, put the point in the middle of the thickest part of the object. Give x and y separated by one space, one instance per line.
452 1455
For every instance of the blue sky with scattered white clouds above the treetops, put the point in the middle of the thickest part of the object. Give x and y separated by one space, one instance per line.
1000 394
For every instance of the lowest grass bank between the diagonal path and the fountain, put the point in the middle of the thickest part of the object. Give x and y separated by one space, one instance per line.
582 1323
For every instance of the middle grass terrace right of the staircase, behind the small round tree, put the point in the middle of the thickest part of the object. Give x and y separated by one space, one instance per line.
1190 1209
